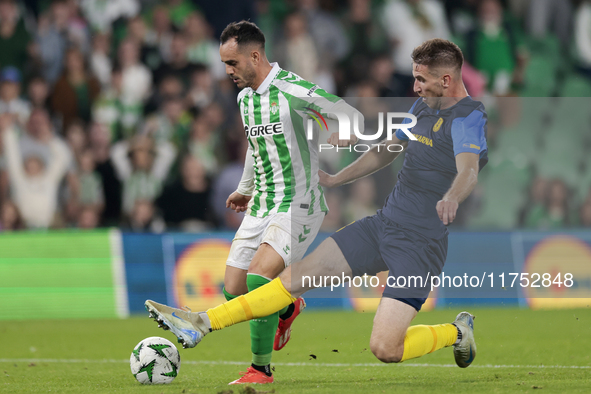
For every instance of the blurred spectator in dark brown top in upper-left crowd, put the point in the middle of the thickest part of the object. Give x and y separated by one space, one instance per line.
75 91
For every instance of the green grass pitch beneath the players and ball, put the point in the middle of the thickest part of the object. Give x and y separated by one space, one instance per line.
518 341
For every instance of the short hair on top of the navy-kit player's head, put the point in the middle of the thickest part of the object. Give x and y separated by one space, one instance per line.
438 53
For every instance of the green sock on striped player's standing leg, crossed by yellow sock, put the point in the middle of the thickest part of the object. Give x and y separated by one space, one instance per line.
262 331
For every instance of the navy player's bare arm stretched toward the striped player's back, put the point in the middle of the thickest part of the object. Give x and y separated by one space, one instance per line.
376 158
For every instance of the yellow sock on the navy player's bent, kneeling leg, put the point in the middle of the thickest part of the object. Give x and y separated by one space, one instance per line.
421 339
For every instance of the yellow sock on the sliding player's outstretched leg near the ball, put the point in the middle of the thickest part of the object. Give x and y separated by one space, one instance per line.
260 302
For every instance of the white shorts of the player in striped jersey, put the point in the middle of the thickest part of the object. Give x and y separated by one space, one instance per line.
289 235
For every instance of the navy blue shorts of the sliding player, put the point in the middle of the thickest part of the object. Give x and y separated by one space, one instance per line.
375 244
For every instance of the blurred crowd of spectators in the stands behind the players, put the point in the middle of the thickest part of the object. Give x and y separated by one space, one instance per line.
119 112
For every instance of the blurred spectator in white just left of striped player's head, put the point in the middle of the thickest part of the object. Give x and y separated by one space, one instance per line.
201 48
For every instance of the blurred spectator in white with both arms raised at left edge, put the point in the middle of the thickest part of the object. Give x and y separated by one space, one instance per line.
34 179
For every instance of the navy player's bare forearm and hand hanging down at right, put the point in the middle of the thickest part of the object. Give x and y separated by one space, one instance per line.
462 186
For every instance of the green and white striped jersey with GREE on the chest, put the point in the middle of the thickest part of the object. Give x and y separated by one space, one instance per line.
285 162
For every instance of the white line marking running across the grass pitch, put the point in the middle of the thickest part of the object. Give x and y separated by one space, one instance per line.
191 362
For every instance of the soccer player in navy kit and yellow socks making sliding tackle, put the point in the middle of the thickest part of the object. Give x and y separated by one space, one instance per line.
408 236
